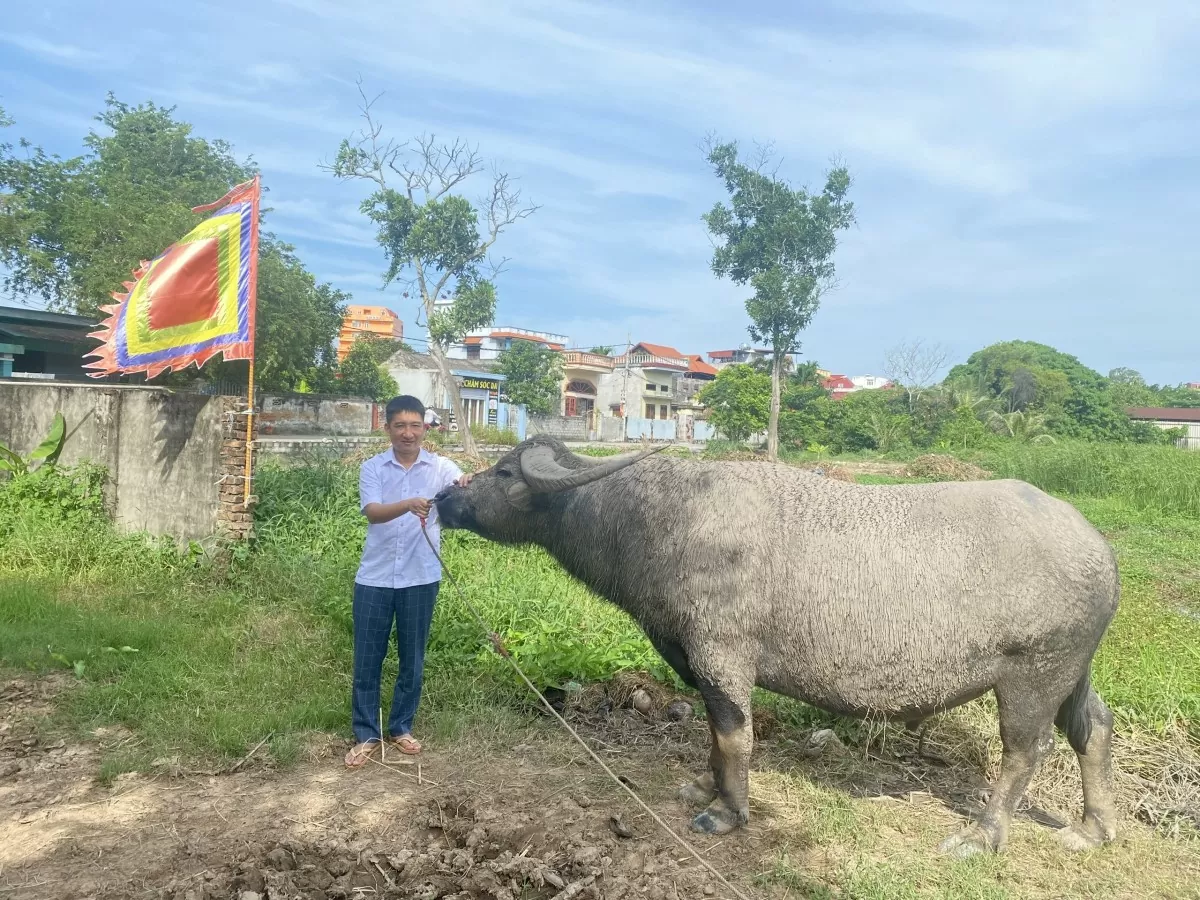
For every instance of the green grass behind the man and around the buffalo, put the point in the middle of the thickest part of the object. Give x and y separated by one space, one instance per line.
209 651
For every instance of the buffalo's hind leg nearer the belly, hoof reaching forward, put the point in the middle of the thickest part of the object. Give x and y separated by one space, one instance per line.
1027 733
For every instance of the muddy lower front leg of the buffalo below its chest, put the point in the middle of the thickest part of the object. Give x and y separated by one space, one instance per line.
733 736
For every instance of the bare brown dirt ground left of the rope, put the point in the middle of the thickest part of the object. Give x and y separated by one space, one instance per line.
521 824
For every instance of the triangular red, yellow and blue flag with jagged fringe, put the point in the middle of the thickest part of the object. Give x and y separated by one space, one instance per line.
194 302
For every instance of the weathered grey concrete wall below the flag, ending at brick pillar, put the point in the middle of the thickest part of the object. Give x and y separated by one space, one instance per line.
175 460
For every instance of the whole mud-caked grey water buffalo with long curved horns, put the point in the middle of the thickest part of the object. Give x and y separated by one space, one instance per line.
863 601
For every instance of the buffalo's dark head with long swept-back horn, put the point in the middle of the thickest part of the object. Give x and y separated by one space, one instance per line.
500 503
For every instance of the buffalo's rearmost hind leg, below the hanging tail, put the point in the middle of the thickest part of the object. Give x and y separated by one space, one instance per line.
1088 724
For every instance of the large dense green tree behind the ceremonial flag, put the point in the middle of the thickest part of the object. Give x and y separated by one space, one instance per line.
73 231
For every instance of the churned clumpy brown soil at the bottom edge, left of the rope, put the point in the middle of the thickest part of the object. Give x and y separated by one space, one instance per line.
461 848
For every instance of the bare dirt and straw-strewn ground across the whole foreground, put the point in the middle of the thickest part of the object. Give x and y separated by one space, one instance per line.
529 819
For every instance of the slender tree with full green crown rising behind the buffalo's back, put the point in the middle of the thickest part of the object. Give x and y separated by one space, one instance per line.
781 241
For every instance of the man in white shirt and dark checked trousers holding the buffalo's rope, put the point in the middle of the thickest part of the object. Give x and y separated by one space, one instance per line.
398 578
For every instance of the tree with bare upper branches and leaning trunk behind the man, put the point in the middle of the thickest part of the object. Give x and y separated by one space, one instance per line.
431 235
